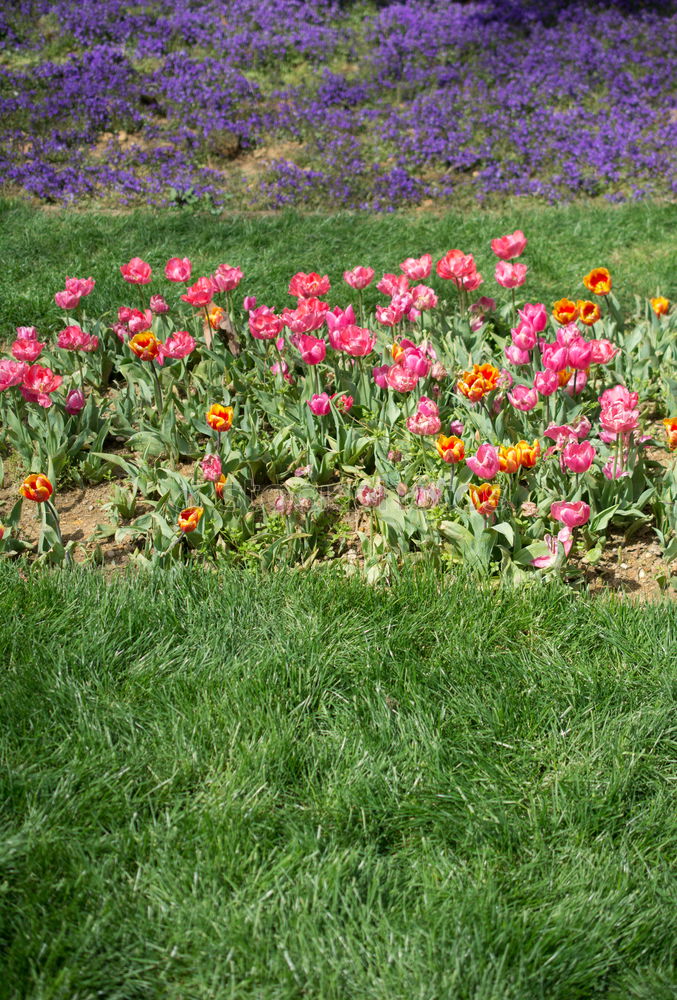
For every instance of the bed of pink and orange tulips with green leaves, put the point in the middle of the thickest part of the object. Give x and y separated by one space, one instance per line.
501 434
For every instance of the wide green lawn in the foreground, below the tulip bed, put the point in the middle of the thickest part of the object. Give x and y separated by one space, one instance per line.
296 786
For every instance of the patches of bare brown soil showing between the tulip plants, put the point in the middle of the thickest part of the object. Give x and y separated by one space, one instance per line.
634 568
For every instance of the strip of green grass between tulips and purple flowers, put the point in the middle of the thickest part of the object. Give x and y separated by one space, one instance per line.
39 248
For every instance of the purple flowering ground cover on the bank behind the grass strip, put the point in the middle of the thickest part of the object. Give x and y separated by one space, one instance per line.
267 103
